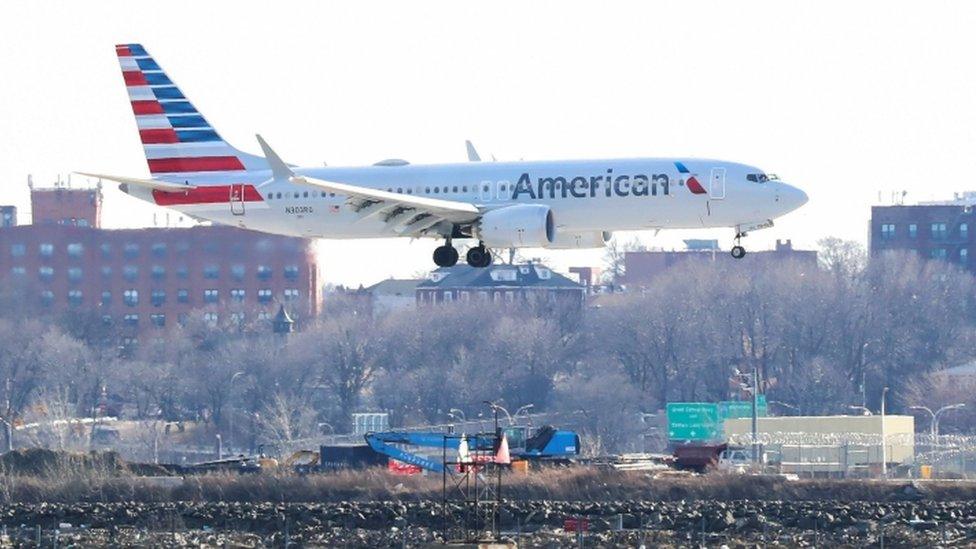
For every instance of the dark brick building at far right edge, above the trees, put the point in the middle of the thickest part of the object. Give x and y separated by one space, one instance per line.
936 230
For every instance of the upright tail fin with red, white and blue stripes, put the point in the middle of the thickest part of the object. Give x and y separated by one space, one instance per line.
178 141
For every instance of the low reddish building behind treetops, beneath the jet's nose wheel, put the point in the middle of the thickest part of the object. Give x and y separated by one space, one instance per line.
642 267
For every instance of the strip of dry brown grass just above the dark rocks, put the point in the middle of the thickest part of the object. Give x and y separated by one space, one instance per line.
71 482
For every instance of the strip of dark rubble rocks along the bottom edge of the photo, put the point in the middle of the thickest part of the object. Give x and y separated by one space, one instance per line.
532 523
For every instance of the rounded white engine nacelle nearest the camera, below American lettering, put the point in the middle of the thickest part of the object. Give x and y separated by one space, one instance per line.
518 226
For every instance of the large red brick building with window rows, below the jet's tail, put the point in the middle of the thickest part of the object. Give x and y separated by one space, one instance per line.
147 279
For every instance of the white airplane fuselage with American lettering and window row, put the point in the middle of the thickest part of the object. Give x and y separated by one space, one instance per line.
584 196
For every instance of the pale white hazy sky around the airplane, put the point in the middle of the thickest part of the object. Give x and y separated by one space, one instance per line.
844 99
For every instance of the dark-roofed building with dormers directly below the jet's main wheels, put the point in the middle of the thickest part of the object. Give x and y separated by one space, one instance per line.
501 284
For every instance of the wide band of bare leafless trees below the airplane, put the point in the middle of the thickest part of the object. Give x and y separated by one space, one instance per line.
822 338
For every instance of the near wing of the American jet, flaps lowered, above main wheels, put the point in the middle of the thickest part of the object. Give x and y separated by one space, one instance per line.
404 213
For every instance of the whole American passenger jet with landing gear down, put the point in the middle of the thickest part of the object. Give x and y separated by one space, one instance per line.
536 204
